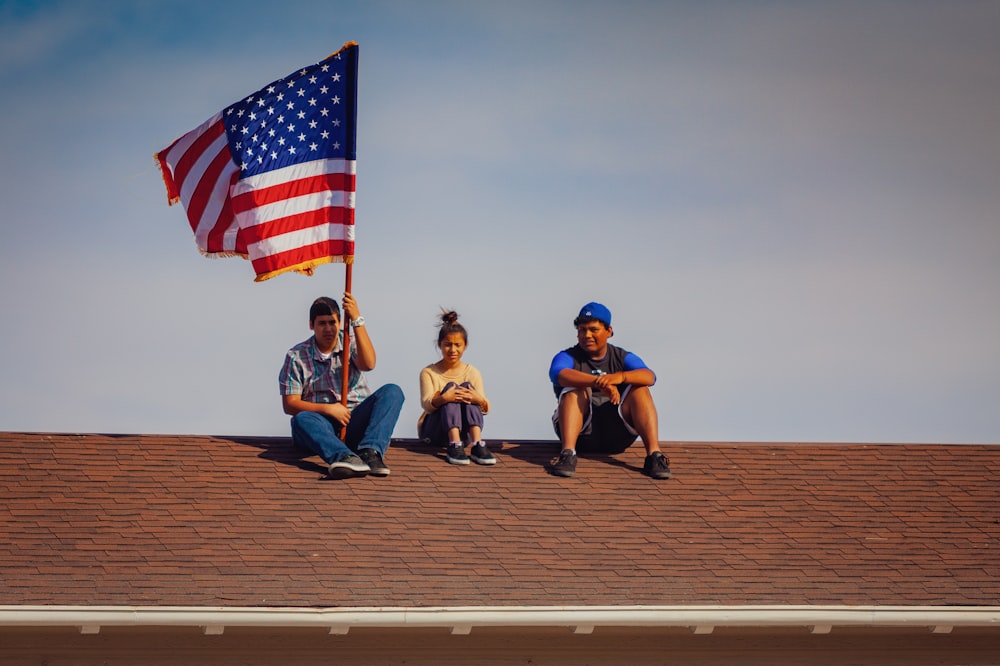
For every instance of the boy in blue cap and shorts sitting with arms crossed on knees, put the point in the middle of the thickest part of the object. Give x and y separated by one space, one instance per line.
604 398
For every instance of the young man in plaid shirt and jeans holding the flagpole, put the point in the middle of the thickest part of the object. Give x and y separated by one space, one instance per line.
311 382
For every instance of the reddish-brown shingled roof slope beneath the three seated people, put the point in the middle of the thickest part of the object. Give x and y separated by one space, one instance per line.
236 521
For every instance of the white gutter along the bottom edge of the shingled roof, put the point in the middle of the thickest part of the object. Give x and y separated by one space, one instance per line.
461 620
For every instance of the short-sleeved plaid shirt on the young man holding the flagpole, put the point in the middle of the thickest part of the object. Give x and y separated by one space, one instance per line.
316 379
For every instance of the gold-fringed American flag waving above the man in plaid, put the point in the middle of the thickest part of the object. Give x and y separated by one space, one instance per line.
271 178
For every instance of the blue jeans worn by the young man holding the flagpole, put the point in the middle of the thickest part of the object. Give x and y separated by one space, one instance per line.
371 427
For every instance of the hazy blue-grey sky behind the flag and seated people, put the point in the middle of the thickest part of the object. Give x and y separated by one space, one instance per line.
791 208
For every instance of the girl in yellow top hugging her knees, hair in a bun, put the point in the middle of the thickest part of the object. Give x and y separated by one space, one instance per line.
451 393
